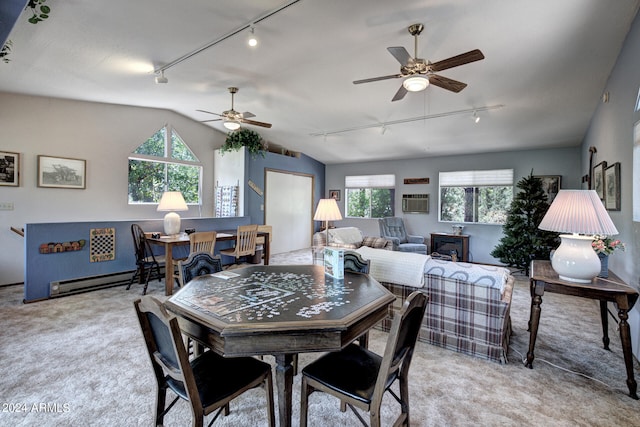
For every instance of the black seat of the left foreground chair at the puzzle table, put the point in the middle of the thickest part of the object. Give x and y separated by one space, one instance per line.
218 378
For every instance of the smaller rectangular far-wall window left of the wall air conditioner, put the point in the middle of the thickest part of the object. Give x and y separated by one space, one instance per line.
369 196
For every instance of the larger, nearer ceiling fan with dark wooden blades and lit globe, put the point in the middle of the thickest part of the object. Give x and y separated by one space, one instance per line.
419 72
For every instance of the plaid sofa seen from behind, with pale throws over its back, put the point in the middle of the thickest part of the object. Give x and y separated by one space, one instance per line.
469 304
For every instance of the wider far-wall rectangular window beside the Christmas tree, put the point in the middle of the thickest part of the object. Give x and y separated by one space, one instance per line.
475 196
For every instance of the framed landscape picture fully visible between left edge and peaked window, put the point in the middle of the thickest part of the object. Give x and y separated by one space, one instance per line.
61 172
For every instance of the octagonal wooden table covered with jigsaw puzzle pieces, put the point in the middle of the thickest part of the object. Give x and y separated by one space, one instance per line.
280 310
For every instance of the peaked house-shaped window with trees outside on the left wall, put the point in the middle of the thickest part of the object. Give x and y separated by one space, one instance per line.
164 163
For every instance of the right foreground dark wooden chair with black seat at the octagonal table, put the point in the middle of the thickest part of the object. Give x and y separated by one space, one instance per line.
359 377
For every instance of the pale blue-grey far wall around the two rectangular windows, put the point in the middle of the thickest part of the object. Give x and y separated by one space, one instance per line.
483 238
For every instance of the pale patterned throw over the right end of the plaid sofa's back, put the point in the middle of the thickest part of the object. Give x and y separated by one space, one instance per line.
478 274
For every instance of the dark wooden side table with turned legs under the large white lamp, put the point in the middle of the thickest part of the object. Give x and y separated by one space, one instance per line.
543 278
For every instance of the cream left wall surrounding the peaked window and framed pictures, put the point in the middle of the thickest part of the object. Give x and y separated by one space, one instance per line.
102 134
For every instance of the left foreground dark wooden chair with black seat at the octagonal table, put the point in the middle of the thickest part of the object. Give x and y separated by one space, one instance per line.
208 382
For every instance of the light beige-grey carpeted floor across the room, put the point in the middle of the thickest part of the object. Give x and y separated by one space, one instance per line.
80 361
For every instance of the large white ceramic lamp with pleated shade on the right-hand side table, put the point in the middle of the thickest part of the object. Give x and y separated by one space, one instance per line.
581 213
